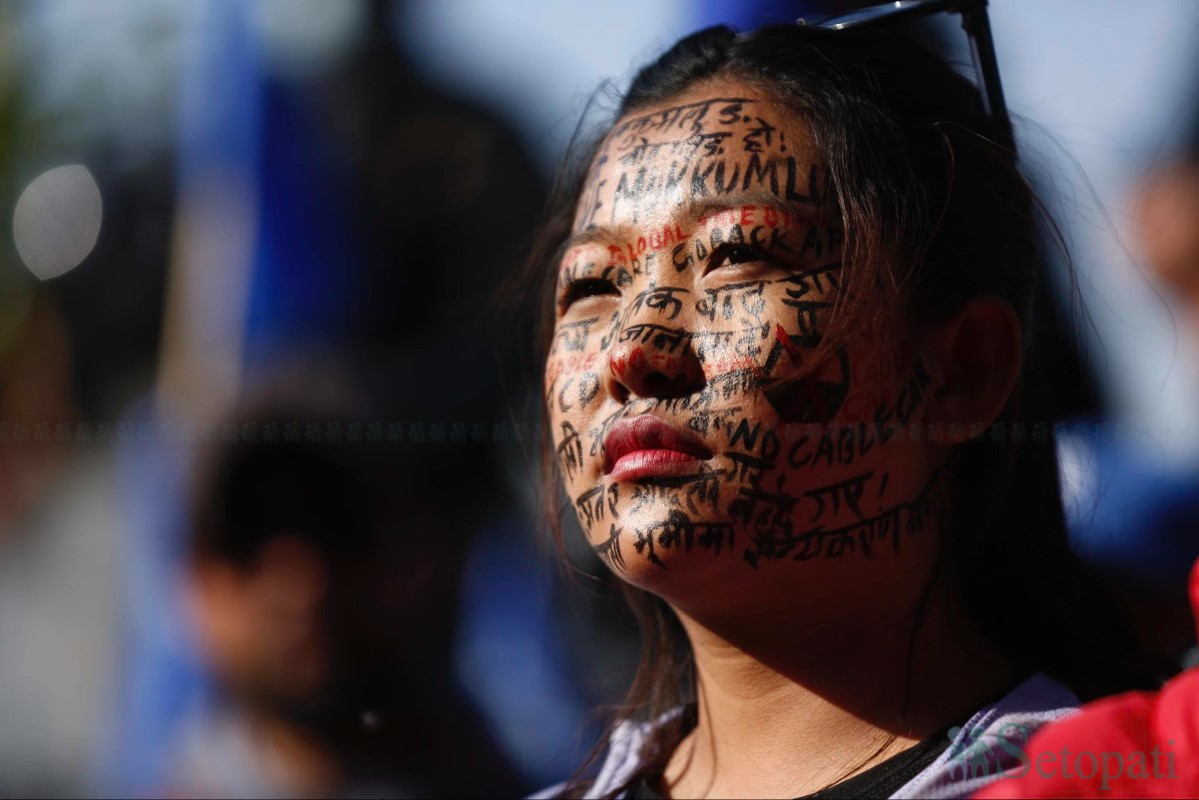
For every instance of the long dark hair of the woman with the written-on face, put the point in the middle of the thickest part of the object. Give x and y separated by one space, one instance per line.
938 213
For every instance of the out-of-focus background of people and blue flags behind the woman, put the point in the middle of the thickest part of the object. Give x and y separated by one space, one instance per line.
269 512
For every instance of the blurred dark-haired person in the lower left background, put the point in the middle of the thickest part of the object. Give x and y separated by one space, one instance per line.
324 580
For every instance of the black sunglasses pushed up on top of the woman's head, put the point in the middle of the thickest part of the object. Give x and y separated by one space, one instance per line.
974 21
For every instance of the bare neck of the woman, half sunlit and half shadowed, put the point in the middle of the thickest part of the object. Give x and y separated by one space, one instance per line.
784 713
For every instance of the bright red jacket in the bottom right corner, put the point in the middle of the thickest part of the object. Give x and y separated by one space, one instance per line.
1141 744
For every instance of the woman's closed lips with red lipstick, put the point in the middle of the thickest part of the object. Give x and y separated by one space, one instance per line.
646 447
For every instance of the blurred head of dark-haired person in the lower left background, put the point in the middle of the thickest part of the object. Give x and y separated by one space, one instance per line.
290 545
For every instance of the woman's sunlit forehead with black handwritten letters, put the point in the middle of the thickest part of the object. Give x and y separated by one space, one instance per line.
715 143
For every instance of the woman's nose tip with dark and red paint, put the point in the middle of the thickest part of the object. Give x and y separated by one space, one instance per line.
650 359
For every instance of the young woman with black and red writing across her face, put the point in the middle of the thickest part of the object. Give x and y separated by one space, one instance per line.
792 384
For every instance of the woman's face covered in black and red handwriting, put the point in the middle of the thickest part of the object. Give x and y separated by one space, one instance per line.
724 419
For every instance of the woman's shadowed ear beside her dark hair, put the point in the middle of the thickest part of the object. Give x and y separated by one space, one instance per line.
975 360
